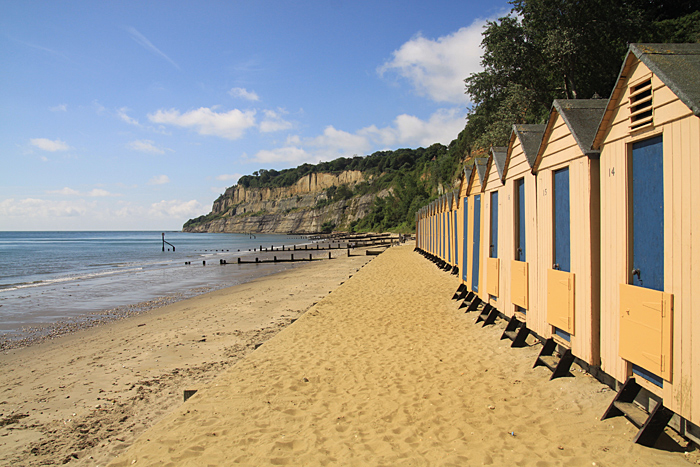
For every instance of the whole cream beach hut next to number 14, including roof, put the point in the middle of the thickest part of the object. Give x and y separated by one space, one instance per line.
568 205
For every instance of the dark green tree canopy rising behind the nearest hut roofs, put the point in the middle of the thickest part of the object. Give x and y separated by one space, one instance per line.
561 49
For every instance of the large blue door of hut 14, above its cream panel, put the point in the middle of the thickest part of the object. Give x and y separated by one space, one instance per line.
647 211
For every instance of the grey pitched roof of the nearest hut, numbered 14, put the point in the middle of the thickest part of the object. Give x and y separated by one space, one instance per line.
676 65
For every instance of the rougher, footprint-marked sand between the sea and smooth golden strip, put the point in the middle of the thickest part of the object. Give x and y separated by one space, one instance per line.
83 398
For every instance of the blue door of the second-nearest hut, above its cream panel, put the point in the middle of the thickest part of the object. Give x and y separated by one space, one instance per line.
562 221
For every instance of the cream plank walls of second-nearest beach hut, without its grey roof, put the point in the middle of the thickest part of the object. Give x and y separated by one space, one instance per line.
559 152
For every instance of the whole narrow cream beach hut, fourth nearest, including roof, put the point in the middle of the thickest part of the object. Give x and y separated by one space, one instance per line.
491 245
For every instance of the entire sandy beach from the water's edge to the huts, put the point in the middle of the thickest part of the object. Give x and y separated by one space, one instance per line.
385 370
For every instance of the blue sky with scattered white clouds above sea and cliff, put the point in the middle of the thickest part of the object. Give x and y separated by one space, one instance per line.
136 115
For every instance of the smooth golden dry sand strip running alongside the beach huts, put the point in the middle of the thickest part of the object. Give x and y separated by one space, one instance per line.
387 371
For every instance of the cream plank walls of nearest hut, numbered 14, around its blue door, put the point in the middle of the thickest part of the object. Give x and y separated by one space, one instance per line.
679 129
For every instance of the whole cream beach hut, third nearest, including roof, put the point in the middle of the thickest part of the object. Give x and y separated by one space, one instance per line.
520 228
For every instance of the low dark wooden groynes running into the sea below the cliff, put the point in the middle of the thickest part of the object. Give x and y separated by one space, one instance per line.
351 242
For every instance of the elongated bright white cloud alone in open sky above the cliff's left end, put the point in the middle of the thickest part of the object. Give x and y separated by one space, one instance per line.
206 121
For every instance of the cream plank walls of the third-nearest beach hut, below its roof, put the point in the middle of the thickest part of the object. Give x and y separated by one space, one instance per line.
518 171
